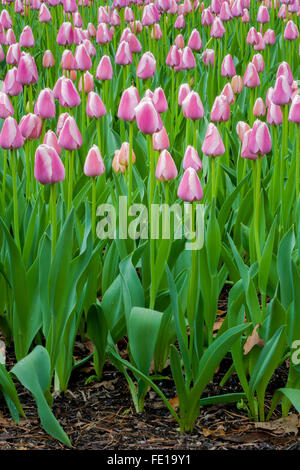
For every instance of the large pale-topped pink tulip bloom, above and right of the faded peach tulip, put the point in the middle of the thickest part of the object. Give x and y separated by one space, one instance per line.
147 118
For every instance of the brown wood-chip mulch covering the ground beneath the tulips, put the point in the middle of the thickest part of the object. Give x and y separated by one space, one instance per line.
101 415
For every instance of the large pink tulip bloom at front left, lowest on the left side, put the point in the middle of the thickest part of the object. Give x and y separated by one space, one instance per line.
48 167
